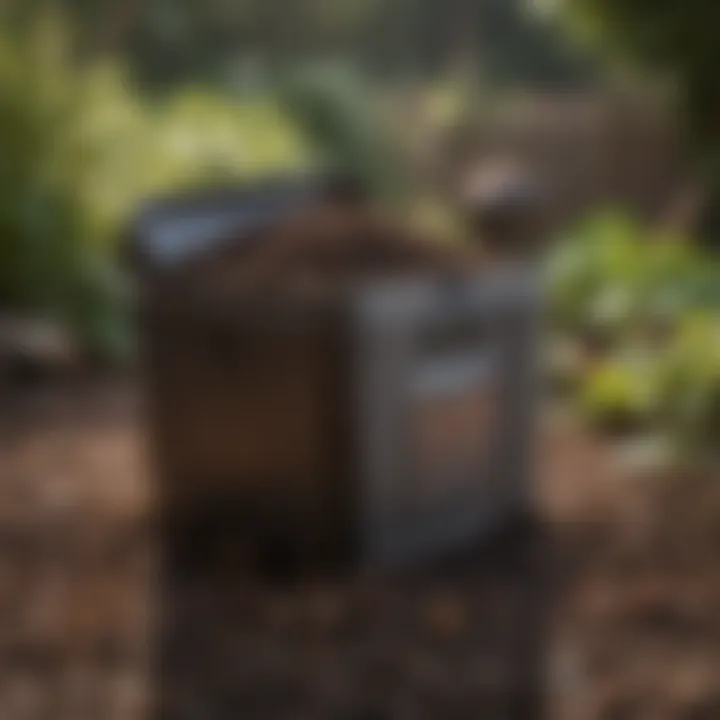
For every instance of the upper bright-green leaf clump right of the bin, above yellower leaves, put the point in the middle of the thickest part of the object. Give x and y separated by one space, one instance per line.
613 277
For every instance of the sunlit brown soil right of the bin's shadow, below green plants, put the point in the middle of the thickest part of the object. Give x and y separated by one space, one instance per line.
636 633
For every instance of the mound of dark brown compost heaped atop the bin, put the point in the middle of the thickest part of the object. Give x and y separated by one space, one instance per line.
318 254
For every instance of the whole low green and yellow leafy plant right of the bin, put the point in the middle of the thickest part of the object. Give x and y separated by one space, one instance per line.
643 310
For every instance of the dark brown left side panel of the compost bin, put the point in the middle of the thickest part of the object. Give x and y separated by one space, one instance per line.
248 425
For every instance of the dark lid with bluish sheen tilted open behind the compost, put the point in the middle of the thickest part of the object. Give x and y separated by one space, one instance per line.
171 232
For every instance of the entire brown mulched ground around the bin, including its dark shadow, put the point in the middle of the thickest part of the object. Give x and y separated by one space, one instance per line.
620 586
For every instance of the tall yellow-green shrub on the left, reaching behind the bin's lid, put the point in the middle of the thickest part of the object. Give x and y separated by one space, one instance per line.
79 149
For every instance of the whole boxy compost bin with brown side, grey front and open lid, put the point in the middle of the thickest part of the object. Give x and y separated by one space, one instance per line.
390 426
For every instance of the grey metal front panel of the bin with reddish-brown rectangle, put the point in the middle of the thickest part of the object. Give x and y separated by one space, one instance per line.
444 399
